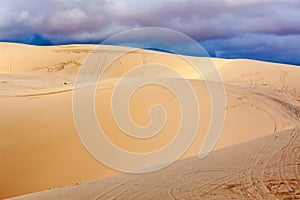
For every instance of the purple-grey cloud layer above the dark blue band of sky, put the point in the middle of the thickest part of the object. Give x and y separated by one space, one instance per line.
200 19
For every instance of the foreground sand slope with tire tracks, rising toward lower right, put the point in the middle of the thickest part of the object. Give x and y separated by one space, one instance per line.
264 168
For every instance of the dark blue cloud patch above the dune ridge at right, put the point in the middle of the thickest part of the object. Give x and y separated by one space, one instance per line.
283 49
